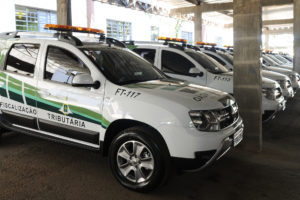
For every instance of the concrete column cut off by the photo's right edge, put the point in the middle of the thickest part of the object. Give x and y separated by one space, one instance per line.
297 36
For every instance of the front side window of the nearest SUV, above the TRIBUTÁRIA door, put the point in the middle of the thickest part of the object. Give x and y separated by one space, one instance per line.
62 65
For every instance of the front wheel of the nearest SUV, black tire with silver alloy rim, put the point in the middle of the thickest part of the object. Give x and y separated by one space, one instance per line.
147 167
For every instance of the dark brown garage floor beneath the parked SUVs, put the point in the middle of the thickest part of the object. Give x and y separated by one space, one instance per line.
31 168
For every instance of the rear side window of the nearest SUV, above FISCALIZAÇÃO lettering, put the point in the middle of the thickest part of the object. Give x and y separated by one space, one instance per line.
22 59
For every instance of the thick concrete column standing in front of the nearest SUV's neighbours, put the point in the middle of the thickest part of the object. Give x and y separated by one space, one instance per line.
247 23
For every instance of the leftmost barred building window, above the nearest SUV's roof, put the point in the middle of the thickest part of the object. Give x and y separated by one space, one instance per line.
30 19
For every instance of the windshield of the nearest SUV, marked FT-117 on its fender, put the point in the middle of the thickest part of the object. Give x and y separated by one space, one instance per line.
122 66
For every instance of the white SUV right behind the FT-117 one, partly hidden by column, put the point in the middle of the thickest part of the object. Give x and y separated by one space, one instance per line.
180 62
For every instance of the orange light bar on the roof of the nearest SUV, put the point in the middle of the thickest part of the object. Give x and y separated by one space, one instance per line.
66 28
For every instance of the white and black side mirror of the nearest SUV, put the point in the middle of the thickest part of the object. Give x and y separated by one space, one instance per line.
84 80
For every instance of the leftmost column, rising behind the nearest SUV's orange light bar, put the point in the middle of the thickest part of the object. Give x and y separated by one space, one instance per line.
64 14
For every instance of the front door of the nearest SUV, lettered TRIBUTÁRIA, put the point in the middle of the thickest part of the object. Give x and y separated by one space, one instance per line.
67 112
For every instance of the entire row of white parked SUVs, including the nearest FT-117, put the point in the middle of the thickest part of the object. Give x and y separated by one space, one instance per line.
169 107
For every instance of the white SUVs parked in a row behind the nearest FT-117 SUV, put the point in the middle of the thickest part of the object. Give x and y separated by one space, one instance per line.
207 65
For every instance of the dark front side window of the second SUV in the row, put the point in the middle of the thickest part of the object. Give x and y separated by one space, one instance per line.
175 63
